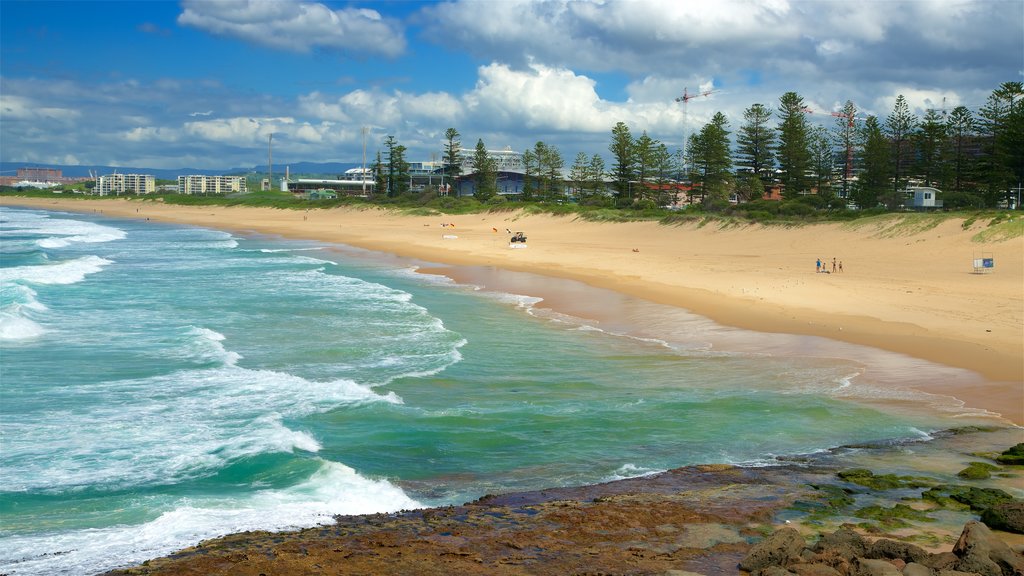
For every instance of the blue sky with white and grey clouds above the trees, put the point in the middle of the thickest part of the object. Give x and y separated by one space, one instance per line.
204 84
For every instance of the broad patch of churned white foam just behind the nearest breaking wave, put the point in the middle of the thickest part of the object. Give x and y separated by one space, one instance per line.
169 429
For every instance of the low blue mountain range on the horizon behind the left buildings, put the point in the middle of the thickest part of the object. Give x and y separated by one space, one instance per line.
76 172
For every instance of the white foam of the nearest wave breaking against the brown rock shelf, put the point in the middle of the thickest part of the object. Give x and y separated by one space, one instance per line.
333 489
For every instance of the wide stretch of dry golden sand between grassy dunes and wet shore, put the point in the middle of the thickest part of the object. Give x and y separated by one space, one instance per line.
906 291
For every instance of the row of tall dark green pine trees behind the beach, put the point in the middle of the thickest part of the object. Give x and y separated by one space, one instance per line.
977 159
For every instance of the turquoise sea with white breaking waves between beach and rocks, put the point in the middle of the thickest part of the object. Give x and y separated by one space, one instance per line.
161 385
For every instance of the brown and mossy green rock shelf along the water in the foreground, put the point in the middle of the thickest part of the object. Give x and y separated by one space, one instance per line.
698 520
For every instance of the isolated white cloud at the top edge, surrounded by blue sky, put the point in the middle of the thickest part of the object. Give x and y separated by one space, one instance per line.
298 27
